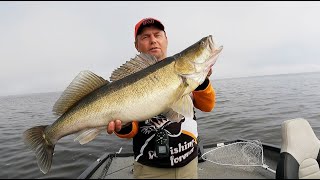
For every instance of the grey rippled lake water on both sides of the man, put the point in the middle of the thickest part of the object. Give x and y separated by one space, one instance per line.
250 108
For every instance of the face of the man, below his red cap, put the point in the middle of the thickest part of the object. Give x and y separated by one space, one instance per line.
152 41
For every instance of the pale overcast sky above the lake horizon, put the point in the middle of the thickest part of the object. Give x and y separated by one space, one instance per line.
44 45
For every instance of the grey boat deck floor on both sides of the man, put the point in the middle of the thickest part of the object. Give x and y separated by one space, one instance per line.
122 165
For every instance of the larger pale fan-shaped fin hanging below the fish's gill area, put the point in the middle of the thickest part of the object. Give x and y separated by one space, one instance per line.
183 106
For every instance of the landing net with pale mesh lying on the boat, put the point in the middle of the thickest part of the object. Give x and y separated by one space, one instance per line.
243 153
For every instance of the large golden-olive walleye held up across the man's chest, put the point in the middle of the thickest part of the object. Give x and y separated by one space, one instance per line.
140 89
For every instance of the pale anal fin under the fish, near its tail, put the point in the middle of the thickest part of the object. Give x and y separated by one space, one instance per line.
88 135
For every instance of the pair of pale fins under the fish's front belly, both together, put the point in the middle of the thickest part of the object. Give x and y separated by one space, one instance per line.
183 106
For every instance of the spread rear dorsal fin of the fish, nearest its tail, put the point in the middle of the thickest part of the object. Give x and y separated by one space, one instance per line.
84 83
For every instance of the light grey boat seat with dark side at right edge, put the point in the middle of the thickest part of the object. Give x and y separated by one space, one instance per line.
299 155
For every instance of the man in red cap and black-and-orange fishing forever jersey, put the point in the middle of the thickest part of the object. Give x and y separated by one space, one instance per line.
179 157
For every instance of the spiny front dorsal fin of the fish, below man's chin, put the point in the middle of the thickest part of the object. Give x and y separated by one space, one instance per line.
141 61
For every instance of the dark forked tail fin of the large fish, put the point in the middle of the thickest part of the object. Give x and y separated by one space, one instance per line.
37 141
